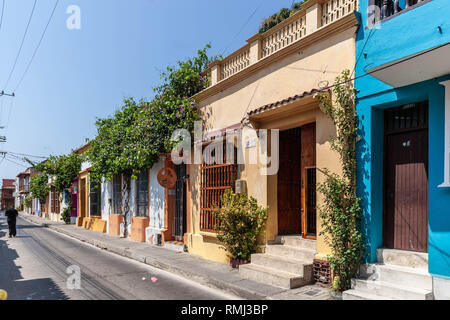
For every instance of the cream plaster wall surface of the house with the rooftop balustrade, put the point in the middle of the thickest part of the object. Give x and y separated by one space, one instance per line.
311 68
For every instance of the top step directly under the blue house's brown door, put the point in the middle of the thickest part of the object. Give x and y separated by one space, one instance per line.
402 258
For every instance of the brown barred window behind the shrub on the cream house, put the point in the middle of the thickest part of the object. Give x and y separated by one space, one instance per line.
216 177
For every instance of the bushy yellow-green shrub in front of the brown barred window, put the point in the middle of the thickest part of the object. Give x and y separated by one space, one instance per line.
240 221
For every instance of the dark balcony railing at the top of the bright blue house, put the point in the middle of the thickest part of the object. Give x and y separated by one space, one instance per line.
387 9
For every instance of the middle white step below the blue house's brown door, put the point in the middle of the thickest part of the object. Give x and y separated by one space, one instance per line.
403 276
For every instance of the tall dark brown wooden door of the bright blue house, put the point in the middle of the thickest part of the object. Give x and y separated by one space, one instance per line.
406 178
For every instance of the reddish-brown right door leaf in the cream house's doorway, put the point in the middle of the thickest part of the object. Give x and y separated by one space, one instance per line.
308 180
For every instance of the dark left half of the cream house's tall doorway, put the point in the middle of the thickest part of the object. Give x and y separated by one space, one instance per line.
289 182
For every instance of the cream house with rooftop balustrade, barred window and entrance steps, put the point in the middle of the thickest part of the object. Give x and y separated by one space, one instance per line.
268 89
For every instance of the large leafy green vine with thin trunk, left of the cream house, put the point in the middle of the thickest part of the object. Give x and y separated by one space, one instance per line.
140 131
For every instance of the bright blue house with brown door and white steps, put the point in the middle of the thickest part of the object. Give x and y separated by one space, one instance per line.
403 106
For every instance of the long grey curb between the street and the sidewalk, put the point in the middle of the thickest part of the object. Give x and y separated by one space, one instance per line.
193 276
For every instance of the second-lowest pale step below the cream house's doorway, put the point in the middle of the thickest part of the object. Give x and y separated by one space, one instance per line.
279 263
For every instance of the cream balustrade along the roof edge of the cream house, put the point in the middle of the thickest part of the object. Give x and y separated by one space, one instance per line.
313 21
